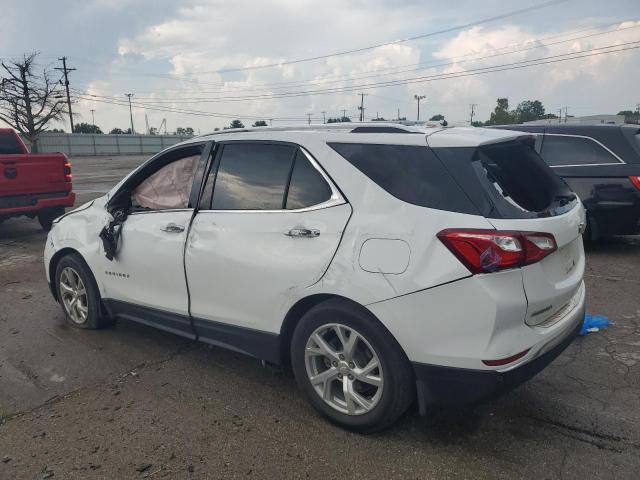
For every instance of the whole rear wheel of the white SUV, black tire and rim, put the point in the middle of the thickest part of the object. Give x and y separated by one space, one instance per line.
350 367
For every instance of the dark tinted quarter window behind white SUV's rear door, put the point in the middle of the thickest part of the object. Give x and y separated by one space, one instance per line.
410 173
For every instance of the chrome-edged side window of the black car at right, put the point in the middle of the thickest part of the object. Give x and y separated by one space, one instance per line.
559 150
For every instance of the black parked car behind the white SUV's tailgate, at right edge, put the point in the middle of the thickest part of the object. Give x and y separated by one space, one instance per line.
601 163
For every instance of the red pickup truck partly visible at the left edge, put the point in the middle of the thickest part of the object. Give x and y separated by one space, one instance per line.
32 184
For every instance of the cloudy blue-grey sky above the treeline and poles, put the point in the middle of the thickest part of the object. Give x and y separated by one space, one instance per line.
200 63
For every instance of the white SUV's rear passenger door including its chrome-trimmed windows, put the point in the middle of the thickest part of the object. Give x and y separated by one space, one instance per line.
269 223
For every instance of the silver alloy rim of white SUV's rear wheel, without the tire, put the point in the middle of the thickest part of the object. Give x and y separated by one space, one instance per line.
344 369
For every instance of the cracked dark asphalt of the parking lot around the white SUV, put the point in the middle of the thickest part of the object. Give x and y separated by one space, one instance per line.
133 402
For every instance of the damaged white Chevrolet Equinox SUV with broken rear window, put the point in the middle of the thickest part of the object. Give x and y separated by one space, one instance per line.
382 263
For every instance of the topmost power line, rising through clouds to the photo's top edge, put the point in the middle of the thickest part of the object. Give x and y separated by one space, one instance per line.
395 42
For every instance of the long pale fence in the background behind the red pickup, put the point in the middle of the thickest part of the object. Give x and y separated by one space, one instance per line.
79 144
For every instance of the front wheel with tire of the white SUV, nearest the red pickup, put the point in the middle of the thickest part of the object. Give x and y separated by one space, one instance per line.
78 293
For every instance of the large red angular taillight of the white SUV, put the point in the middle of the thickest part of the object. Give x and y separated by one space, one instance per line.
485 251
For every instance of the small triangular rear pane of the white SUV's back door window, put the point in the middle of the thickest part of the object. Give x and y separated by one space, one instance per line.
307 187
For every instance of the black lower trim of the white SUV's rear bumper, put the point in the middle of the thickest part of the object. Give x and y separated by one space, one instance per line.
449 386
